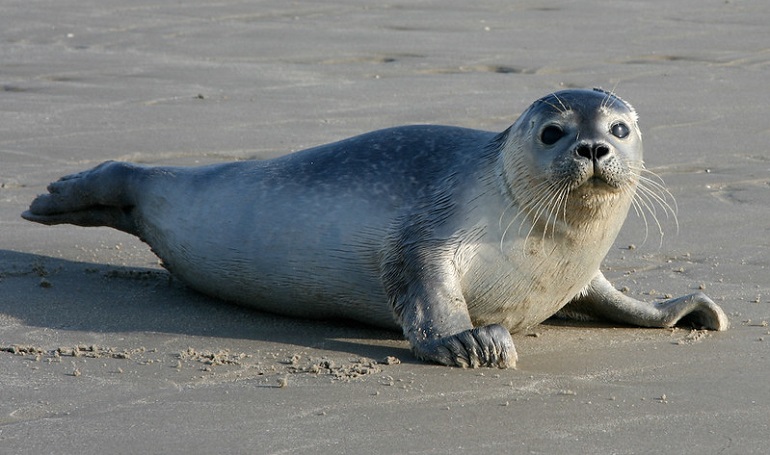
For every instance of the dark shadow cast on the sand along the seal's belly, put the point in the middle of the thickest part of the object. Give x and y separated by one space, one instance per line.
60 294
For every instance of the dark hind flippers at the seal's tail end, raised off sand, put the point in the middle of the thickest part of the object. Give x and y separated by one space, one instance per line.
97 197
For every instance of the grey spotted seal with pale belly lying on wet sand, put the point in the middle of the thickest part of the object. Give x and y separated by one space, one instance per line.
458 237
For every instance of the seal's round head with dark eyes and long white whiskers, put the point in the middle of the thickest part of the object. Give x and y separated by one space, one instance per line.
574 155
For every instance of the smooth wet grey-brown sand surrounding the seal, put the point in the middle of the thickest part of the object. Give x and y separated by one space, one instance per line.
102 352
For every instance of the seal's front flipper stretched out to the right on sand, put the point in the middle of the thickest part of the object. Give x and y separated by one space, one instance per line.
601 300
